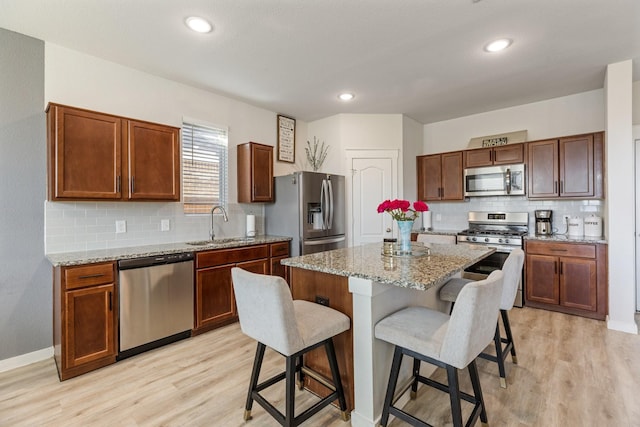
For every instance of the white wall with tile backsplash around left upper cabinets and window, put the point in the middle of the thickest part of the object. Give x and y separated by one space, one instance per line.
80 80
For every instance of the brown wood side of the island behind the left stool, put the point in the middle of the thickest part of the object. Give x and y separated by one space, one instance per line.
307 285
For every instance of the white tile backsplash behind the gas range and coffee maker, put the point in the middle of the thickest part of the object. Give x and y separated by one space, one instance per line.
453 216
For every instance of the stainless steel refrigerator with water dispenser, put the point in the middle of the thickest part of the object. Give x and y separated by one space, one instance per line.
309 207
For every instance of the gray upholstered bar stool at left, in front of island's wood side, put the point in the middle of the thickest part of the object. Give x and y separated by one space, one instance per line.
269 315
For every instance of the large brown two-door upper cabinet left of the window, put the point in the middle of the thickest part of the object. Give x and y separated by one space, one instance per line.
97 156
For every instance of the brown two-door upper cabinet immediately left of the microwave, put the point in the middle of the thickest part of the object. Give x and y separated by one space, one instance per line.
440 177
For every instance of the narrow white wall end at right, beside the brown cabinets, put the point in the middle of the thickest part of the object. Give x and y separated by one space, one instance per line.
620 229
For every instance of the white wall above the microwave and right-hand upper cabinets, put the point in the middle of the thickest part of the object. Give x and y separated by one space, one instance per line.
569 115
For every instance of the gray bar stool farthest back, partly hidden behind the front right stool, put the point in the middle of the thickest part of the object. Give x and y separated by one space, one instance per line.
512 269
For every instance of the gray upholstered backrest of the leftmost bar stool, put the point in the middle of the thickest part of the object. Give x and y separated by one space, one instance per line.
265 309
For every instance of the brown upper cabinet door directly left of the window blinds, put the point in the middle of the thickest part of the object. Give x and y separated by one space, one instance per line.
153 161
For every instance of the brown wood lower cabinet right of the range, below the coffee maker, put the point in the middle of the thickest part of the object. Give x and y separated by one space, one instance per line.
567 277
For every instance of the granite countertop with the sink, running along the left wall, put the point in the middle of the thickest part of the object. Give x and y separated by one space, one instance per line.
114 254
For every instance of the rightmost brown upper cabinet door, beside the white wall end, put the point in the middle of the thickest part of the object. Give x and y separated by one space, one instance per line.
576 166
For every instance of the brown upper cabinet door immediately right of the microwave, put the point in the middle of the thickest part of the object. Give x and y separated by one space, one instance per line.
542 162
